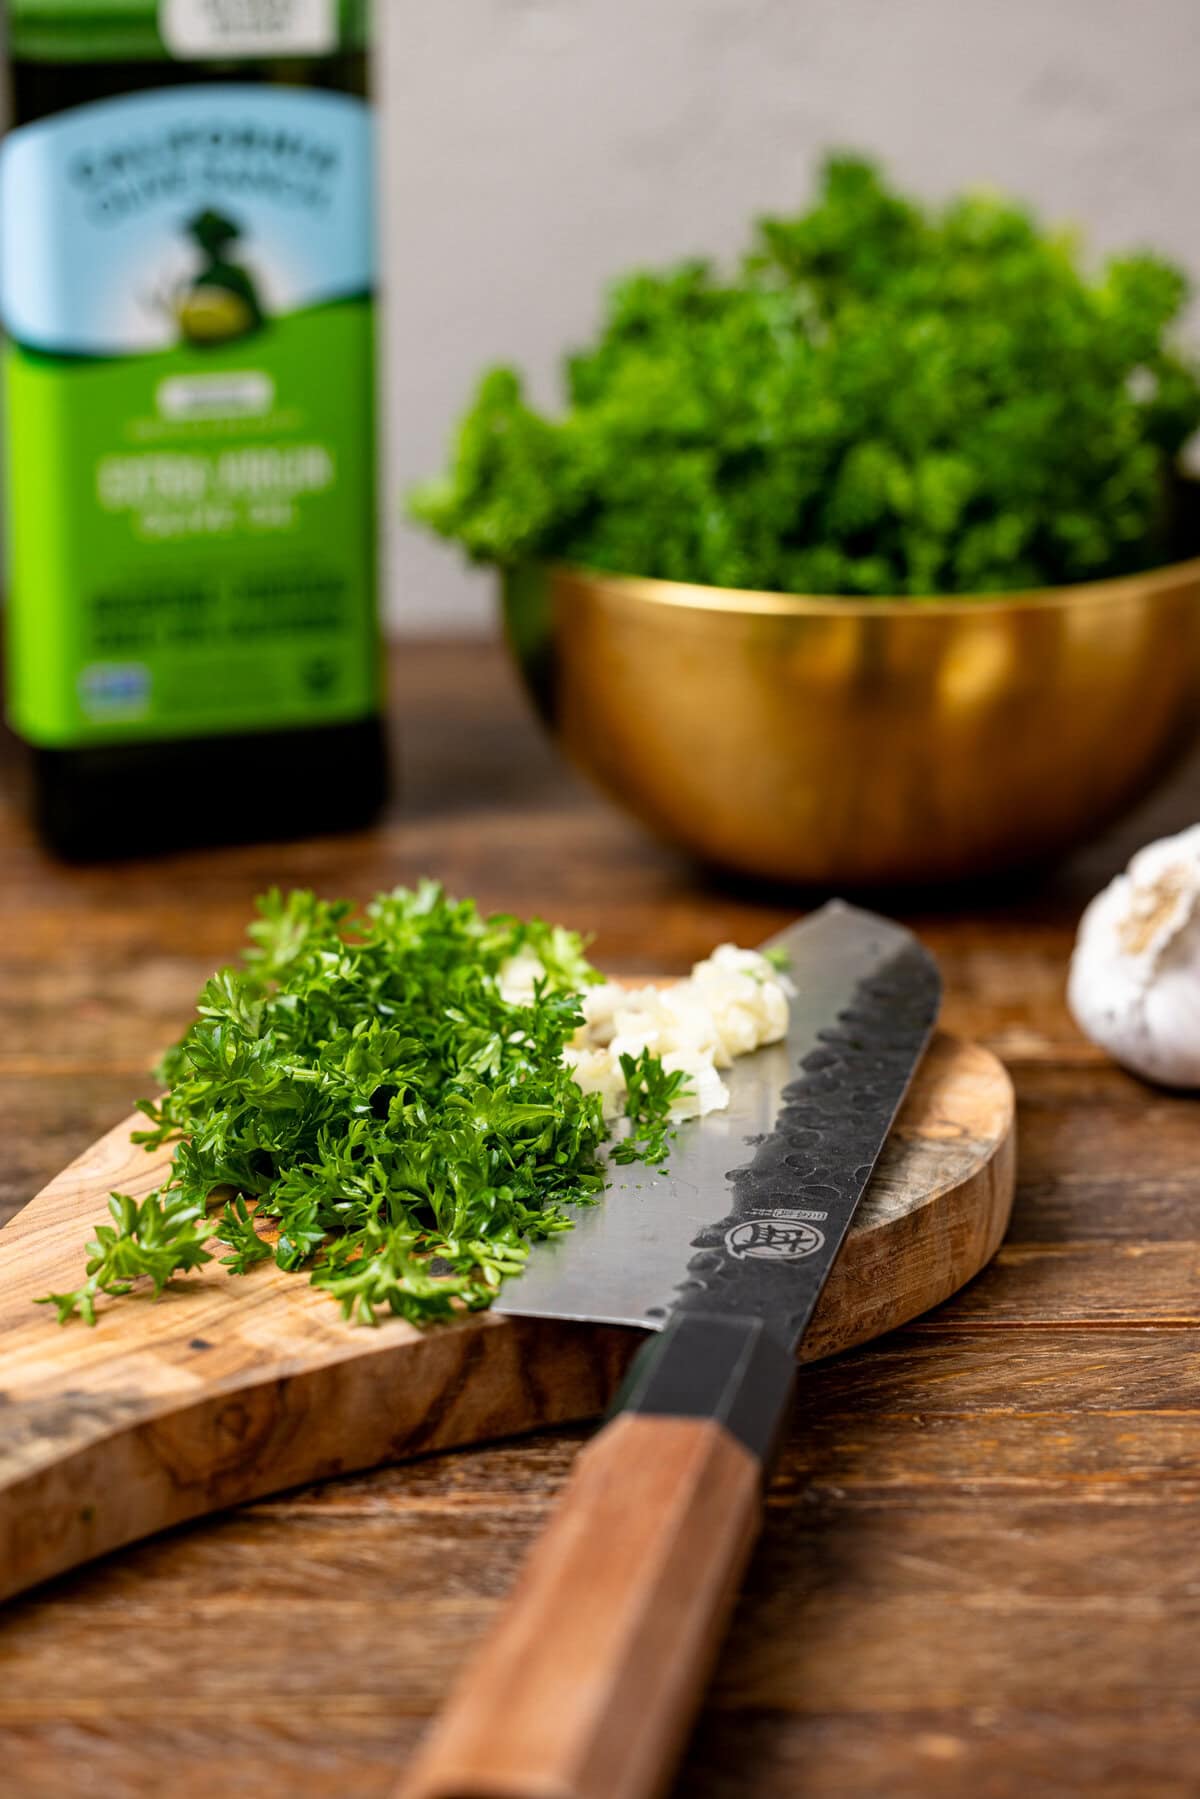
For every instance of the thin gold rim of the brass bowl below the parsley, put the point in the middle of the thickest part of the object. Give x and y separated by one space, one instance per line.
699 598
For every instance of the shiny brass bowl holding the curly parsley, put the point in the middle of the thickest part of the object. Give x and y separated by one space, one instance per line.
864 742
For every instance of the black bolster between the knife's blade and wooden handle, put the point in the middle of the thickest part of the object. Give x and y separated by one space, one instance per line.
722 1366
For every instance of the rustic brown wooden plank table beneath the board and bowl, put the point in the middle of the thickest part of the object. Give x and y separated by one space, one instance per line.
981 1568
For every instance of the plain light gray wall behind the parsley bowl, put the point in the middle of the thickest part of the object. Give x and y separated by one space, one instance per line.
532 148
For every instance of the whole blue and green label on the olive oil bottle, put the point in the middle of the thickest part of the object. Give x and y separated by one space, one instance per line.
190 370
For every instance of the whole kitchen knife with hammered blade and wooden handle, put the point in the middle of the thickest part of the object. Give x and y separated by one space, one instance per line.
593 1676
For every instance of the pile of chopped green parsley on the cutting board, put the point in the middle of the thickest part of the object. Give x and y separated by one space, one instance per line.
368 1107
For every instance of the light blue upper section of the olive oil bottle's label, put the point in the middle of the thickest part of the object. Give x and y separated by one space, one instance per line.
188 213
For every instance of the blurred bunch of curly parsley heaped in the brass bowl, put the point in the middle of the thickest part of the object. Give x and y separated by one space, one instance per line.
882 400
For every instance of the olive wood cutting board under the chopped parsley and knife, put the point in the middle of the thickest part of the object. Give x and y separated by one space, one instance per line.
233 1388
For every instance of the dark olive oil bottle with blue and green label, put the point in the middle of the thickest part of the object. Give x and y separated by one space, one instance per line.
186 285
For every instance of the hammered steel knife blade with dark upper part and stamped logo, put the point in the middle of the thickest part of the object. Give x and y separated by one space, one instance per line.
625 1260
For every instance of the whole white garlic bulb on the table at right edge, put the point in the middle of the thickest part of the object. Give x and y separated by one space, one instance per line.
1136 971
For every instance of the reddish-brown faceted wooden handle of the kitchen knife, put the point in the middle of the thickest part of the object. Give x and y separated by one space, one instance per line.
589 1685
